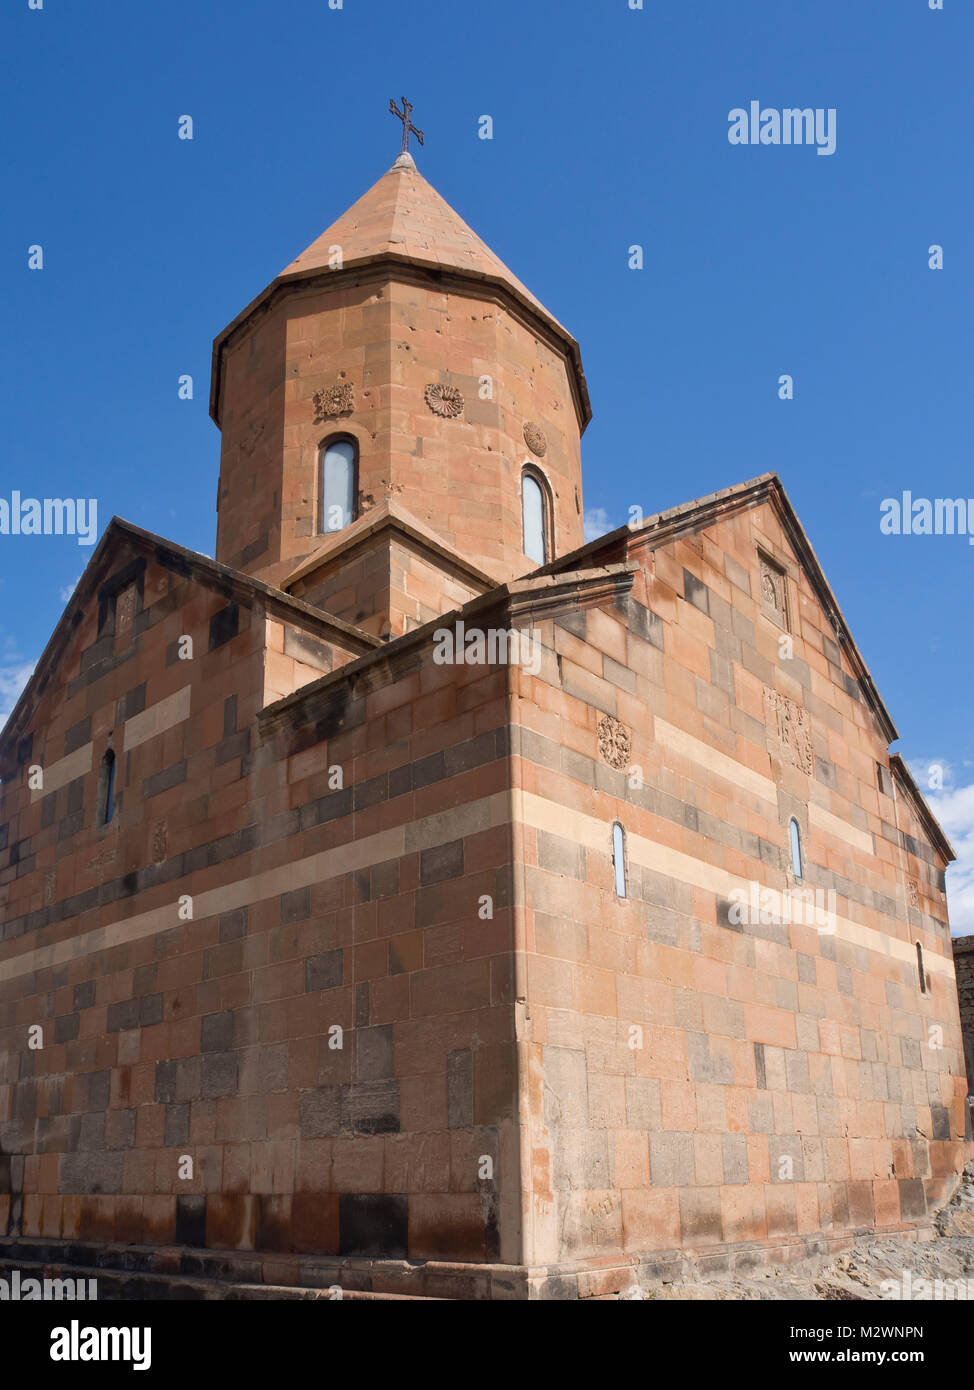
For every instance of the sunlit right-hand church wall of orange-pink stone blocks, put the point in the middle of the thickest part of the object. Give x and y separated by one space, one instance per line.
784 1081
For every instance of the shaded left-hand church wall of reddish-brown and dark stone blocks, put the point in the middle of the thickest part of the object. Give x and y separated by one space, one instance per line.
320 903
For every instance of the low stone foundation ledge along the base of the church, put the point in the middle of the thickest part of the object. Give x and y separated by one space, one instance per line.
145 1273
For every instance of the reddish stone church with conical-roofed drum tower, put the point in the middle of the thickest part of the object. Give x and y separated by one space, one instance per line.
604 938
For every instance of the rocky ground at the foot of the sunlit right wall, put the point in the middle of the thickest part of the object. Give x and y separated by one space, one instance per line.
859 1274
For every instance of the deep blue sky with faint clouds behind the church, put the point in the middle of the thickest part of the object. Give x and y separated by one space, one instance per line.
609 130
